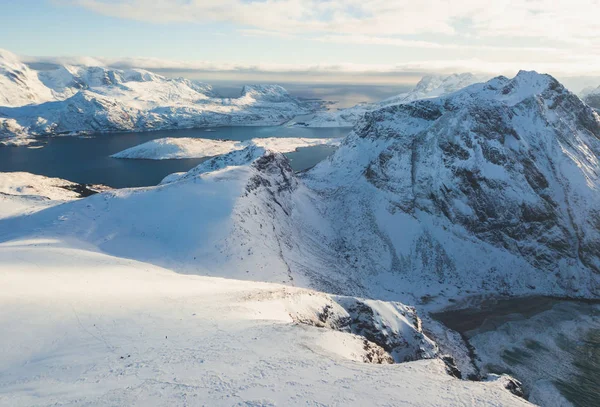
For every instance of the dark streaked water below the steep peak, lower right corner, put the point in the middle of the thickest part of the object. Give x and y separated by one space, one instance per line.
551 345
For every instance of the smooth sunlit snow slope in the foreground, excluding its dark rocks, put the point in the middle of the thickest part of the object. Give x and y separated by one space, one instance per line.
108 331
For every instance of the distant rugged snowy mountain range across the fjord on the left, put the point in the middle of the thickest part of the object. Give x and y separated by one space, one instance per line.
73 99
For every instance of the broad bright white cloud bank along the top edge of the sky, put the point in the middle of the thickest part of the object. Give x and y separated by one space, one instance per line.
574 22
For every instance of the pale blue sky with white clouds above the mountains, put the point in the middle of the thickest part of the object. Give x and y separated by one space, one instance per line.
371 41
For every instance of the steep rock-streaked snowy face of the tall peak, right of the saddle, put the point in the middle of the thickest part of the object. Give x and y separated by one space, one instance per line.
495 185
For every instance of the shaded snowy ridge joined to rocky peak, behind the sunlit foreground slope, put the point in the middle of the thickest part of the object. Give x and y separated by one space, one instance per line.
491 189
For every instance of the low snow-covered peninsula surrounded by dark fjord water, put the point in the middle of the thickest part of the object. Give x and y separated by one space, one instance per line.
176 148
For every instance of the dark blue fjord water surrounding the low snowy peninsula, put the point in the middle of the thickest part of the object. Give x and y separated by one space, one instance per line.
87 159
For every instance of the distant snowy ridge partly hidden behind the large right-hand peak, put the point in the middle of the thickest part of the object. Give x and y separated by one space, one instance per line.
428 87
